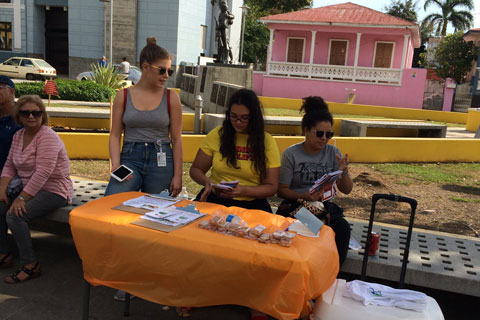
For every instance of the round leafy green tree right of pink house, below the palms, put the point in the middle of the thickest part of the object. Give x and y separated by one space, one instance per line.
453 57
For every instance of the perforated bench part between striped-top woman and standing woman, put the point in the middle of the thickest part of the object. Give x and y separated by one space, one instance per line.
83 192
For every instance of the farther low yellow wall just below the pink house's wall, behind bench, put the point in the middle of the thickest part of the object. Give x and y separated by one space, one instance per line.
377 111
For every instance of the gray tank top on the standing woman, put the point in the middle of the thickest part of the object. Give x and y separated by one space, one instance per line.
146 126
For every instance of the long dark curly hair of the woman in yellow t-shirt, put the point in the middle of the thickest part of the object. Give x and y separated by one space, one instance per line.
256 133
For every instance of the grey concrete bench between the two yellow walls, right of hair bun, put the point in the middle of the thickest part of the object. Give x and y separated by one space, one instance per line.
358 128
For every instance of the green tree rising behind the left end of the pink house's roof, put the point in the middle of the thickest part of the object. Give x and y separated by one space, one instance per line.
257 34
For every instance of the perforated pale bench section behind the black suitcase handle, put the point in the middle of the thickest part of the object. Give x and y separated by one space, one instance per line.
436 260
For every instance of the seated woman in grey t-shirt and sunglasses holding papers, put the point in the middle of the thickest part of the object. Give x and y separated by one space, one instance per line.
305 162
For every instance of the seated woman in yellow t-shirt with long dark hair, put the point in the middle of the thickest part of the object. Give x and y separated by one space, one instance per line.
239 150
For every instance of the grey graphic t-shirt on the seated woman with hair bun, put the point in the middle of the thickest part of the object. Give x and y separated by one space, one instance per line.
299 170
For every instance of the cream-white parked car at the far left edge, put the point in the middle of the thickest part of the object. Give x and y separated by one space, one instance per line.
27 68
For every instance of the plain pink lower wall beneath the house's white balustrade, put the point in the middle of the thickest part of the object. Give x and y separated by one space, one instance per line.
408 95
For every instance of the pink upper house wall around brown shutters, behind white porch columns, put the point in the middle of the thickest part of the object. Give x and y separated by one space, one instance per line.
325 33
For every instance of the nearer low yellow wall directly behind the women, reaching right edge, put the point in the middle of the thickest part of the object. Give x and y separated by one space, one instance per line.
374 150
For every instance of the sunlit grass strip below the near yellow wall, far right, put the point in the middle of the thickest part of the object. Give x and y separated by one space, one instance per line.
458 173
